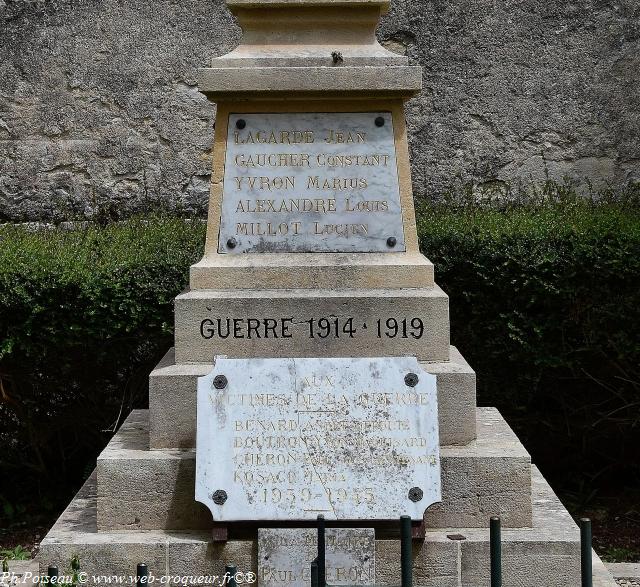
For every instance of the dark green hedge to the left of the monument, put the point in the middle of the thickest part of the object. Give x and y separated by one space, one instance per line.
84 315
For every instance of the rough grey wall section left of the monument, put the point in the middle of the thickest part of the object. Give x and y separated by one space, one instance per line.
99 109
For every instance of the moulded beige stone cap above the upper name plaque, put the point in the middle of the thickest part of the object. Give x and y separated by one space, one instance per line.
309 47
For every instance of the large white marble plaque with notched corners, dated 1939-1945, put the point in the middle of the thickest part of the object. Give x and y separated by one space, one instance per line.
288 439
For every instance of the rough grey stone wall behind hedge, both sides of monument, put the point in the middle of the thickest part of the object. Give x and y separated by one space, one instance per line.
100 114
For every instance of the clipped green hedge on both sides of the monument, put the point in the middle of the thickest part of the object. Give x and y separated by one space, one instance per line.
545 305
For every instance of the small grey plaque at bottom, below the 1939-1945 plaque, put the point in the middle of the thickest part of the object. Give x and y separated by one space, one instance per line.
285 556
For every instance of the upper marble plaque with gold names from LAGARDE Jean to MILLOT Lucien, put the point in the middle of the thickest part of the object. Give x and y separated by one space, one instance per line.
311 182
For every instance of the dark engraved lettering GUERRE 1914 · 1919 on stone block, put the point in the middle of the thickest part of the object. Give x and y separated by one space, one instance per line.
320 328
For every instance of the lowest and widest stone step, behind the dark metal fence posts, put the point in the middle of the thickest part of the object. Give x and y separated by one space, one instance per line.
545 555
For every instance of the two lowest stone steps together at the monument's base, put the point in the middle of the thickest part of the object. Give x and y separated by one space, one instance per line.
133 490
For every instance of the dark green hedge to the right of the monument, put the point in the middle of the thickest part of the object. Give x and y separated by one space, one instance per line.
545 305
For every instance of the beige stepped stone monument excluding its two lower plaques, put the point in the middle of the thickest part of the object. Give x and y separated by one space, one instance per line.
328 272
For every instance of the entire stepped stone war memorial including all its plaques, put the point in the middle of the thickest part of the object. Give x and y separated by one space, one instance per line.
312 372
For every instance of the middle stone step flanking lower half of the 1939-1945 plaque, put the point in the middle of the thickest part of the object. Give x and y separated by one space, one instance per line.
145 489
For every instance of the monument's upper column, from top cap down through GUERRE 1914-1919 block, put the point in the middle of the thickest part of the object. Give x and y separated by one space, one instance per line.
311 212
